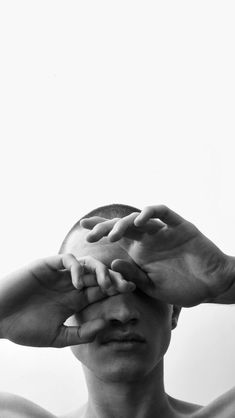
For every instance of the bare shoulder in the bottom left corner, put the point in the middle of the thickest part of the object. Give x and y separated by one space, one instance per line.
14 406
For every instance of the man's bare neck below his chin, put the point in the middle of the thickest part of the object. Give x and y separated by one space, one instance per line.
145 398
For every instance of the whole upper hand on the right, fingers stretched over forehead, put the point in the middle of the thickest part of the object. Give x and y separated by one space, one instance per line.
184 267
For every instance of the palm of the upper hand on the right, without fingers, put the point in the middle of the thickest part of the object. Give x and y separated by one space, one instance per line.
180 261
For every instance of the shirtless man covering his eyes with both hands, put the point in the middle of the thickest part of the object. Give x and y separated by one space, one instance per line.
121 285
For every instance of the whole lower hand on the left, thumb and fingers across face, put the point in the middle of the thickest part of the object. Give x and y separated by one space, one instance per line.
37 300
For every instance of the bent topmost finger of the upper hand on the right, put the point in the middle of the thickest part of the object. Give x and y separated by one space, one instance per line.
162 212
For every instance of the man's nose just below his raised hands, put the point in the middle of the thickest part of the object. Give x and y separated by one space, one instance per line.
121 309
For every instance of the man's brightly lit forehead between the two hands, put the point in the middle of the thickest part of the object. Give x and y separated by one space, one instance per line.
102 250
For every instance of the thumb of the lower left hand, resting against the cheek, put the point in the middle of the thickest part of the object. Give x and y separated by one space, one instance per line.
82 334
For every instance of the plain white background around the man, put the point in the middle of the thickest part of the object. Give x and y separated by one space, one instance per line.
117 101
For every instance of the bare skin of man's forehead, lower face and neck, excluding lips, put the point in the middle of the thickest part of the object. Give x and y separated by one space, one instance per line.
121 375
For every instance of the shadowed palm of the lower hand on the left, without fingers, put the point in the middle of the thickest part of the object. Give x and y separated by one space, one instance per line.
35 312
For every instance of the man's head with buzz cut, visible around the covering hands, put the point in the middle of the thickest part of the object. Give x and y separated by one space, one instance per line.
145 321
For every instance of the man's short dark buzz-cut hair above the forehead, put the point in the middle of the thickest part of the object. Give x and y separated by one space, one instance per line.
115 210
